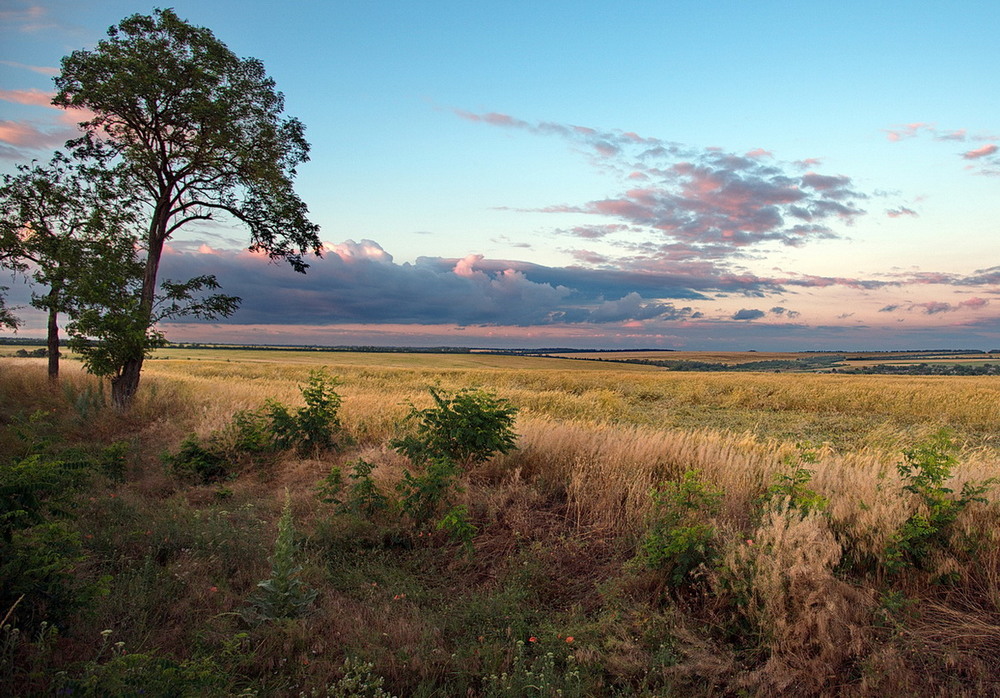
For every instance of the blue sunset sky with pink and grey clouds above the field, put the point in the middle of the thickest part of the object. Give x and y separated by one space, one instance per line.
673 175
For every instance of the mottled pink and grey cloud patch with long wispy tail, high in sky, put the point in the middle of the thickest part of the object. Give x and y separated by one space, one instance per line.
705 198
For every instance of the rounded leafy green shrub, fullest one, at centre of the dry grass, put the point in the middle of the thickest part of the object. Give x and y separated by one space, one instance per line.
468 427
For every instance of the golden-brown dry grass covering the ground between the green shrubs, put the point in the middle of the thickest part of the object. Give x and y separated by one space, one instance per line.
803 609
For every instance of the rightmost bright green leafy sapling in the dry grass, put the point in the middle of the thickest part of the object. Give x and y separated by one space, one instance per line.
925 469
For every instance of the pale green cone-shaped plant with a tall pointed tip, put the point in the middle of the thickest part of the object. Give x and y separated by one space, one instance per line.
283 594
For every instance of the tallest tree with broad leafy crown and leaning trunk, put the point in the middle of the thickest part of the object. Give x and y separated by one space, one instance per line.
198 132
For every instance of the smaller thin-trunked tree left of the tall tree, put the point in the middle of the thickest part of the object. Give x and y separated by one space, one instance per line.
69 230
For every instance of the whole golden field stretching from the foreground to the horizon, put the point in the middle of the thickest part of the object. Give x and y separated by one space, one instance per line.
652 533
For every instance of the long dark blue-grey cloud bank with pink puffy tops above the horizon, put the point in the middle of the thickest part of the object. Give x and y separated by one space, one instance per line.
359 282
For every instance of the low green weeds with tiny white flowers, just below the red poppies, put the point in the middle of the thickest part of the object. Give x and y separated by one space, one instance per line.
542 676
